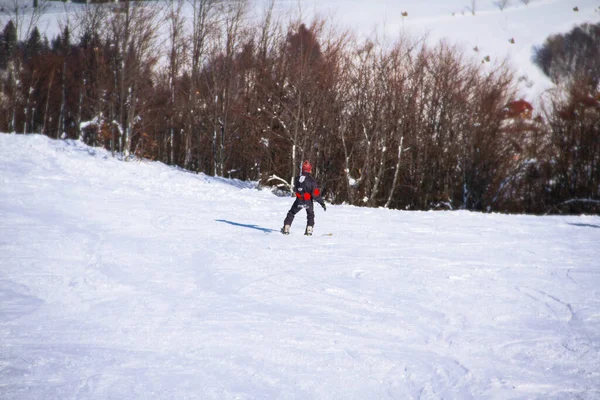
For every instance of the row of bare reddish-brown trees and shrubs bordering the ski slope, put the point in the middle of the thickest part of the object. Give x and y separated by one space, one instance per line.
201 85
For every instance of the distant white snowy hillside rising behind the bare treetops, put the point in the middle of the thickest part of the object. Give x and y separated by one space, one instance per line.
509 34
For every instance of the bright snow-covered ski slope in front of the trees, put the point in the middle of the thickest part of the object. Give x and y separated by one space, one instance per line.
139 281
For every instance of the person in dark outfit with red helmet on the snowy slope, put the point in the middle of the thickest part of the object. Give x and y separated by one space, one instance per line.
306 190
